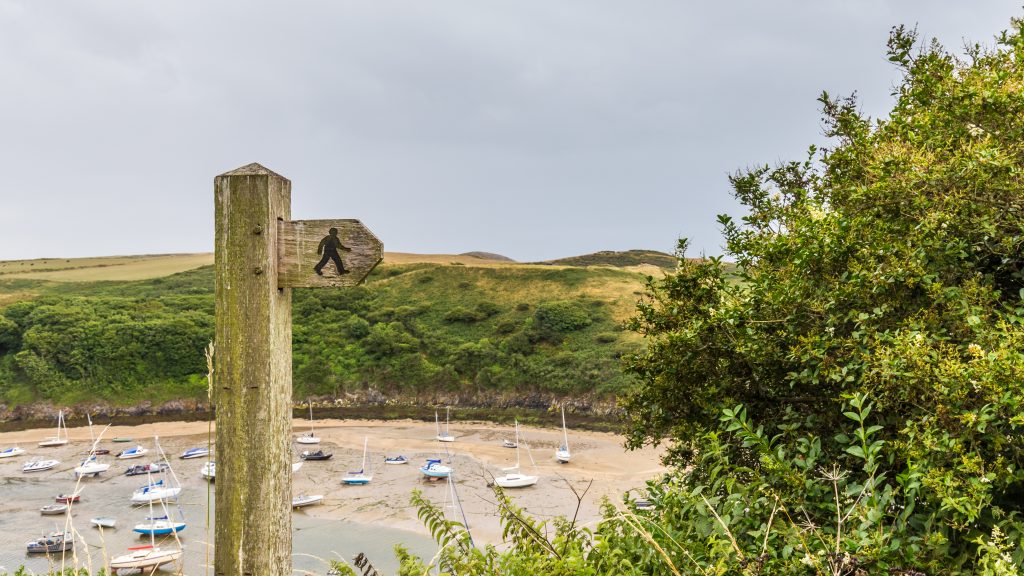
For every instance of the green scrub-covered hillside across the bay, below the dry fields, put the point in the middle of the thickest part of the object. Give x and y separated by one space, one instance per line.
413 328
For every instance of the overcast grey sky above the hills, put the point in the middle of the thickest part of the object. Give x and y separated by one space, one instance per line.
533 129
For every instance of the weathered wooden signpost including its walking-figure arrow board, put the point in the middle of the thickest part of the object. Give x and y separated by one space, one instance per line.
261 255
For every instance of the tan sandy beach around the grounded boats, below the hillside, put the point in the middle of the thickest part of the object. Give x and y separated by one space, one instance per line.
477 455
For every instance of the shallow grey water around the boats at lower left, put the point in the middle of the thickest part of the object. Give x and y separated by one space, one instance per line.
315 539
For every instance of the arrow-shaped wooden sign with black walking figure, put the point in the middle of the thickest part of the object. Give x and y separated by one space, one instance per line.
323 254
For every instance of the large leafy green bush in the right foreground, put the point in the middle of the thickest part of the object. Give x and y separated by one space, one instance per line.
852 402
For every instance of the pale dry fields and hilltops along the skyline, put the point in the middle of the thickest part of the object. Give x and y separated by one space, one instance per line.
157 266
